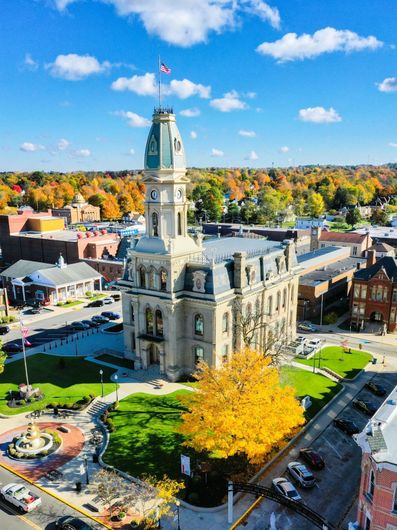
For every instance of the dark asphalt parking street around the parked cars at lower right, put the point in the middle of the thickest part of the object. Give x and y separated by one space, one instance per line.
335 492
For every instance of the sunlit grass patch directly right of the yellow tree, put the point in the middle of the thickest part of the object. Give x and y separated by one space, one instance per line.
319 388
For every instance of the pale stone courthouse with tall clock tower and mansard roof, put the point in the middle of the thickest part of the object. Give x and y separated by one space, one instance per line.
185 299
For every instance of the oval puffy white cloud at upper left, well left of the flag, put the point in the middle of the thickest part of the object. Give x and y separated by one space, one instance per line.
75 67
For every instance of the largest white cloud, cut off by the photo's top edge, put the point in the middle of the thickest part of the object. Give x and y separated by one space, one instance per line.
188 22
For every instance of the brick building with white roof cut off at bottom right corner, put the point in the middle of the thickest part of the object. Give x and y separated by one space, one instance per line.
377 506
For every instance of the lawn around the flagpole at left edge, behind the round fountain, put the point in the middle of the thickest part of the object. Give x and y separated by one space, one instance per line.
78 378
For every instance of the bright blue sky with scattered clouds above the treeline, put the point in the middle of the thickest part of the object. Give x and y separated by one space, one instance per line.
253 83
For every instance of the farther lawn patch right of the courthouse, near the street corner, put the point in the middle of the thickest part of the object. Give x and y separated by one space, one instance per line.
347 365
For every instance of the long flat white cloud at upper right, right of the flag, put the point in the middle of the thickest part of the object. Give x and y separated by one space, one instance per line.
292 47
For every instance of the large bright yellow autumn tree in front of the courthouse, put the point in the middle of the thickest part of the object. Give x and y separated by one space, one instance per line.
240 408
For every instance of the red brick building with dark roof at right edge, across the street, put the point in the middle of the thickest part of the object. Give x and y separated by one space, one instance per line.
374 294
